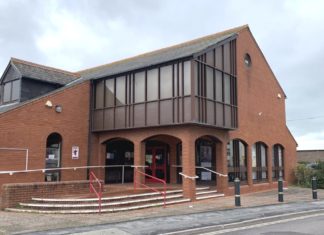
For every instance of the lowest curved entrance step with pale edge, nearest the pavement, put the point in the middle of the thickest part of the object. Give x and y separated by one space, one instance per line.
105 210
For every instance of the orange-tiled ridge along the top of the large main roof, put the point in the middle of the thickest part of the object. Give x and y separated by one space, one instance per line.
232 30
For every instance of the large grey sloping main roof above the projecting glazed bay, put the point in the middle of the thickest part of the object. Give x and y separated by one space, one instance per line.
159 56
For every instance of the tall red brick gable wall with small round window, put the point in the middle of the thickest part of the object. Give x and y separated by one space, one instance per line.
258 92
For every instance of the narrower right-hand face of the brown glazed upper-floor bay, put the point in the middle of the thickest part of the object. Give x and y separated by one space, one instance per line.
215 87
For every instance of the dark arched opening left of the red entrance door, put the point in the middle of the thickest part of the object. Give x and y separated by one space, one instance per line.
119 159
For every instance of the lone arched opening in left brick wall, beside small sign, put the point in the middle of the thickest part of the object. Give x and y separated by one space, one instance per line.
53 157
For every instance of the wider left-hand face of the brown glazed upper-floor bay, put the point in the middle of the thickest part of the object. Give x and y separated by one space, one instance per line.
150 97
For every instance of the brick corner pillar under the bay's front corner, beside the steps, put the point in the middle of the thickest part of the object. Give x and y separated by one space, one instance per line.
188 167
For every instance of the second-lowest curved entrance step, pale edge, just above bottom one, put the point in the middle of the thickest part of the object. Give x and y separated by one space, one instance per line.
96 204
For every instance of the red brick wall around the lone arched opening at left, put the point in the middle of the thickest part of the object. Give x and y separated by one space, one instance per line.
29 126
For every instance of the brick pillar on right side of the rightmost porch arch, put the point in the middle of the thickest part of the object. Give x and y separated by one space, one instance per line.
221 167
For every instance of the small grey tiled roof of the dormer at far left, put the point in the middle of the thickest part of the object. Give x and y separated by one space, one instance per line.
43 73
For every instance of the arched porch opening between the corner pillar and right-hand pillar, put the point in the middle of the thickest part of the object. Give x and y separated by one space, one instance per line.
206 159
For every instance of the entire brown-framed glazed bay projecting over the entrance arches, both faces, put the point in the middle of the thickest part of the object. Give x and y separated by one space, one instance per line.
198 89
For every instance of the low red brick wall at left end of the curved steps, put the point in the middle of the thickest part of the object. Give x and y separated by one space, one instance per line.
12 194
